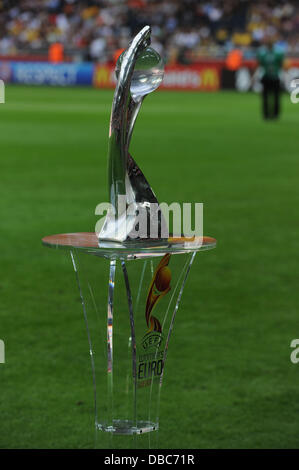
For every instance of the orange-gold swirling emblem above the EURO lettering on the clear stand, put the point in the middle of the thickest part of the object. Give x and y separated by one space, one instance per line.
159 287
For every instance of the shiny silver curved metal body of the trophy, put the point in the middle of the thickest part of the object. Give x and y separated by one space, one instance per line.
128 187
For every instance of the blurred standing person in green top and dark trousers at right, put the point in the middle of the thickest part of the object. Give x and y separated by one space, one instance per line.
271 61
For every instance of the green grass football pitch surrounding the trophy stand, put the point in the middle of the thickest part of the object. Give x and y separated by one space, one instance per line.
229 382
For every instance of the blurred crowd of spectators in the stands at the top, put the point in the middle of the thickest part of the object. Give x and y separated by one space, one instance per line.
182 30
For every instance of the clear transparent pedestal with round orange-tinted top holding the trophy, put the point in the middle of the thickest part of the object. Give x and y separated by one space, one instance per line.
129 338
